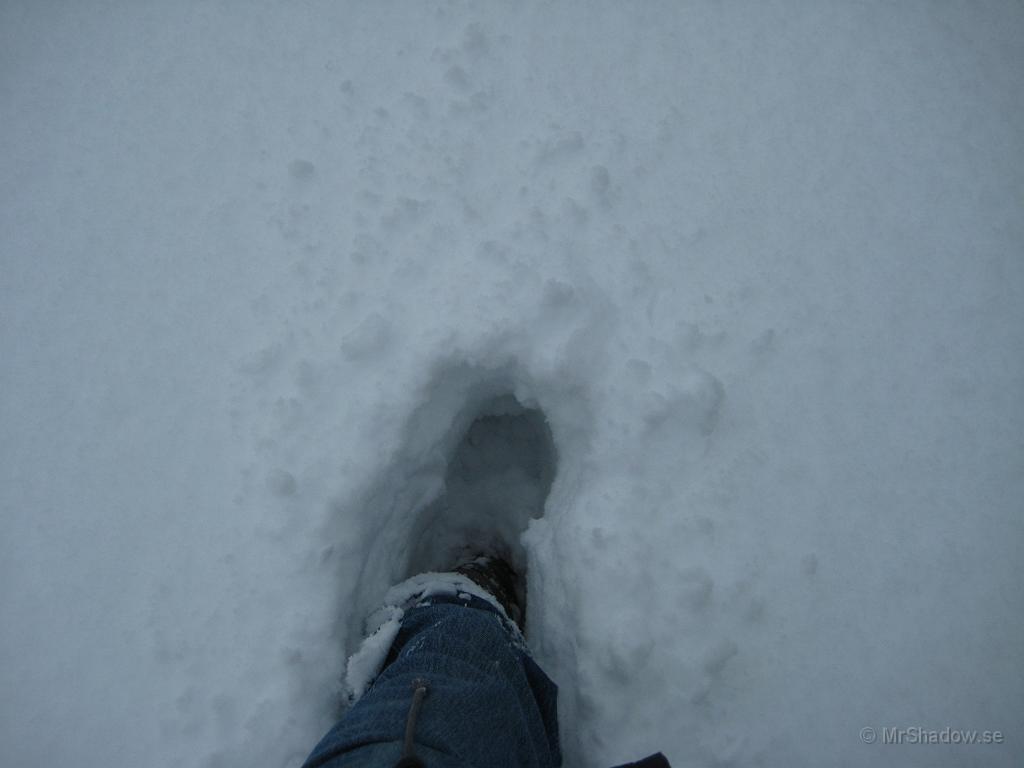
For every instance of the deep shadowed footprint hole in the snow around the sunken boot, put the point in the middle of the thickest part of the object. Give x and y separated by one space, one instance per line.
474 464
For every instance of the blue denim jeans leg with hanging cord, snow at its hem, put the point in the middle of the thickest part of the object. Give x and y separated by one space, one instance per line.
487 702
